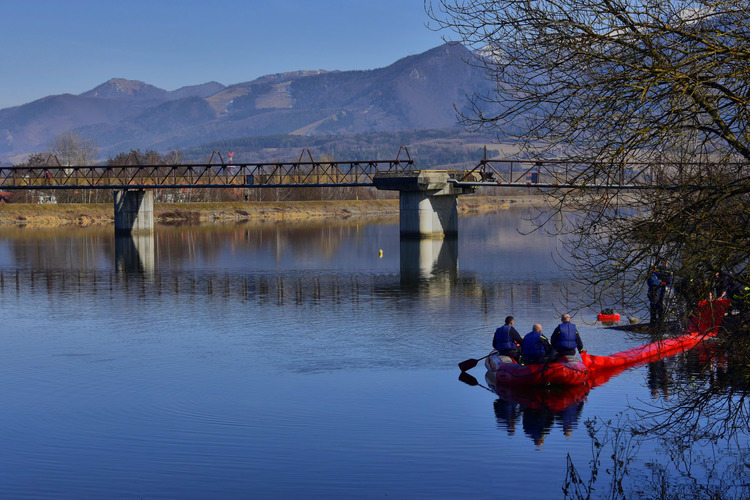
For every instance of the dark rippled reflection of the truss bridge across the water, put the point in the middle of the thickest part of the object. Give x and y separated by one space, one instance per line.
131 275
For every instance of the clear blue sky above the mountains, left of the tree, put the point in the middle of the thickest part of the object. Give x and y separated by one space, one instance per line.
71 46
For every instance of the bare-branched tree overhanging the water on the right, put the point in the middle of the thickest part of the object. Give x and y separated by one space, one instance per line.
607 83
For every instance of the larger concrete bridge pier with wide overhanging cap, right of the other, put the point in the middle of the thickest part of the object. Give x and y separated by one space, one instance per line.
428 203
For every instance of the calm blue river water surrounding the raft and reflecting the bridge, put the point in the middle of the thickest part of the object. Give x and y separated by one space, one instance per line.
287 362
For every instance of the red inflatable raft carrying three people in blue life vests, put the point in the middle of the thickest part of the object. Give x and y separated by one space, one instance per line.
566 371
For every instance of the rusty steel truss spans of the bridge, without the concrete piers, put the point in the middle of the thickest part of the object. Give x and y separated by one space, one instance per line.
310 173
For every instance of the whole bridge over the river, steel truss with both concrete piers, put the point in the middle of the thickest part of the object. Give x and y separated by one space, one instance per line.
428 198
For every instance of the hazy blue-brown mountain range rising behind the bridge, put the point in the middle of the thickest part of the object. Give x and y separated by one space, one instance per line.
419 92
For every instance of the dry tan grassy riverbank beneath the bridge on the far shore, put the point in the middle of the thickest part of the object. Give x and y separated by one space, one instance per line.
80 214
